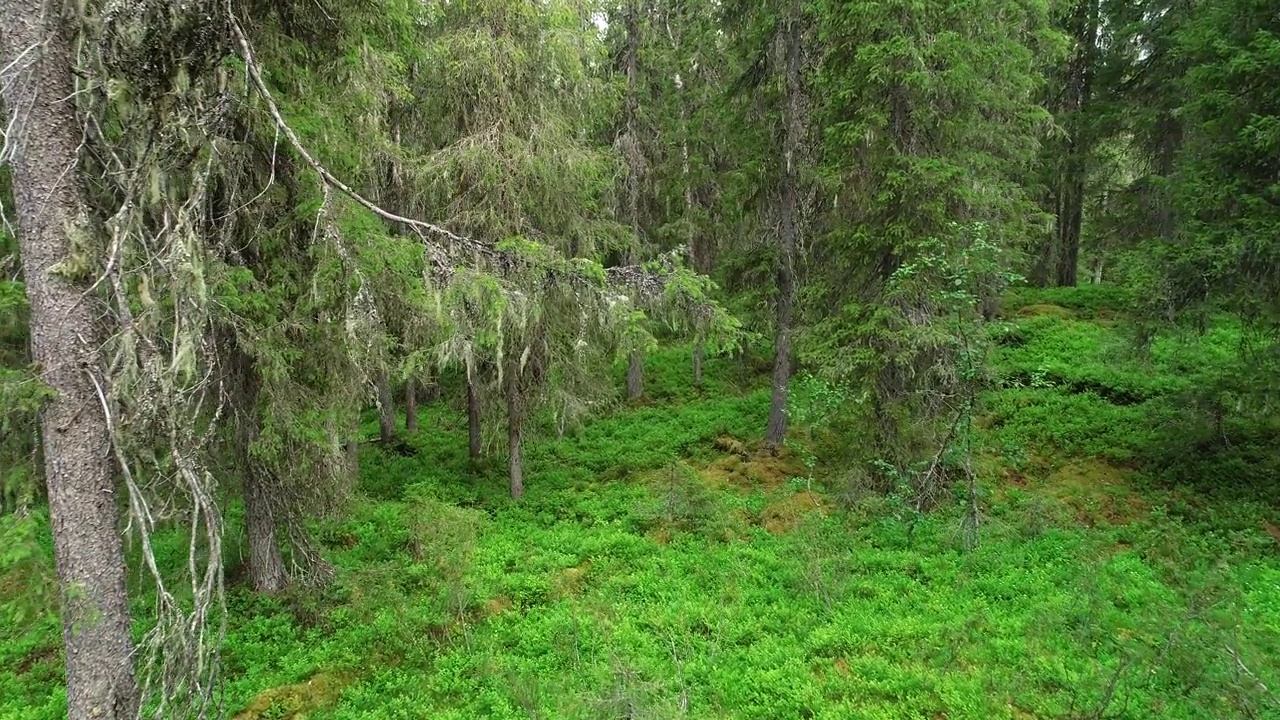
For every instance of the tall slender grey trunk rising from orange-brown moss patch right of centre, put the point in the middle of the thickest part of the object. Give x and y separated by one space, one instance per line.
788 238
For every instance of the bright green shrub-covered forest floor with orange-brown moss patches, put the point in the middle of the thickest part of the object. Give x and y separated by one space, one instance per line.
659 567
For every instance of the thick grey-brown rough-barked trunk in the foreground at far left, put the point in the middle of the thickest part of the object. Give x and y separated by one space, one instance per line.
79 472
